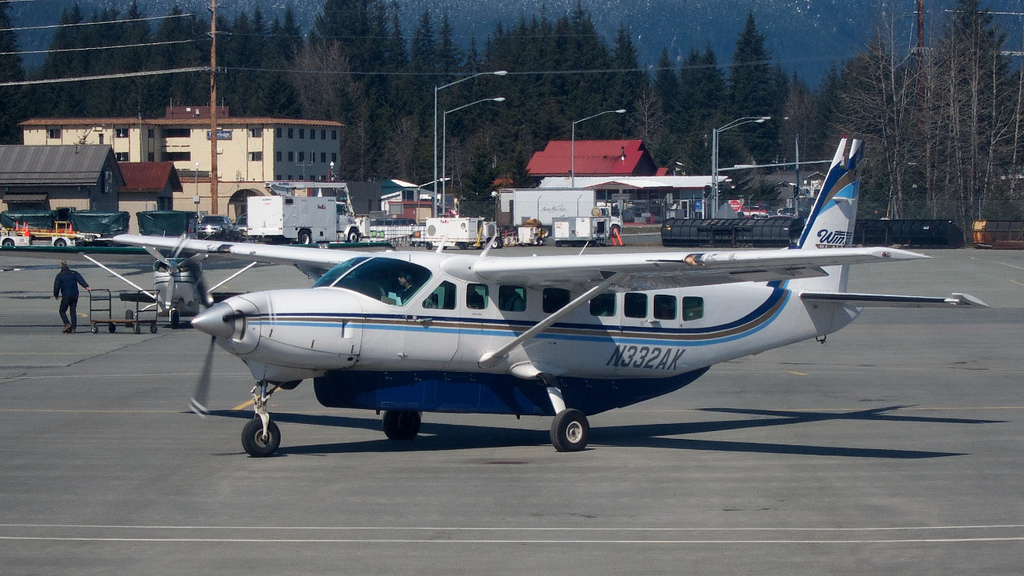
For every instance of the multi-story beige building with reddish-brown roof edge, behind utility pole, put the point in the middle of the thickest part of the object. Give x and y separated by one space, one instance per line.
251 151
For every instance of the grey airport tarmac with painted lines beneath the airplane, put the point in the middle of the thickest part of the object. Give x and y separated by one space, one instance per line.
893 448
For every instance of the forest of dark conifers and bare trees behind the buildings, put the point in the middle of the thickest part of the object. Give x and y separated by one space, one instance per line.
943 127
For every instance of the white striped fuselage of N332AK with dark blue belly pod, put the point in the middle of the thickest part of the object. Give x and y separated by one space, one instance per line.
369 348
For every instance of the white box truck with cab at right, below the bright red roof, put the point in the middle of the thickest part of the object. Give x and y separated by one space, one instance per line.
517 207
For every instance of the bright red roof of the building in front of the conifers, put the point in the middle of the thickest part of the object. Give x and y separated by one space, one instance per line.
593 158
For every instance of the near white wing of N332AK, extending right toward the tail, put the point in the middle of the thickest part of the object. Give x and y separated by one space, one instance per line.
650 271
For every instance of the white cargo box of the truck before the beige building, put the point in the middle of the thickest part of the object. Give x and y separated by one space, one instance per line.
292 219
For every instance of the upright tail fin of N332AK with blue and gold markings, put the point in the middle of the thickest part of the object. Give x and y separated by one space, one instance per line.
833 219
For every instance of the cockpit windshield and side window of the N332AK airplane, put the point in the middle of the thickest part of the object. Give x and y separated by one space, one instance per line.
389 280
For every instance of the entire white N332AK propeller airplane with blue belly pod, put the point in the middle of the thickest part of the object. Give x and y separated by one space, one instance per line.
564 337
